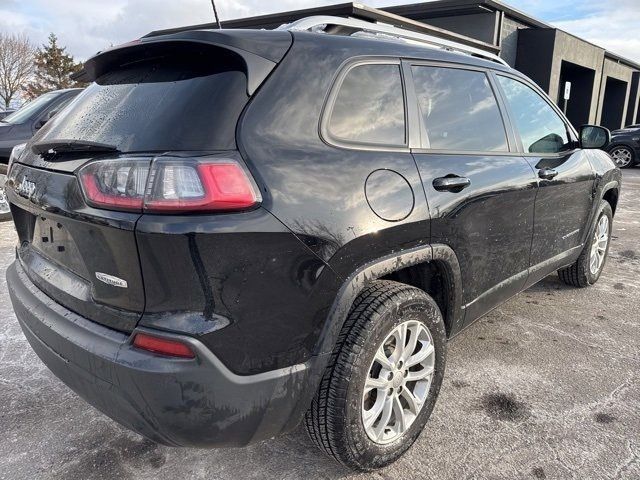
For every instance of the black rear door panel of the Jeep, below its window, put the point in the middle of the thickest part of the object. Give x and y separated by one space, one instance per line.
492 242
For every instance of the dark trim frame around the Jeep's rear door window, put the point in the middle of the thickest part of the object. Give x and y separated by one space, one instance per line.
412 98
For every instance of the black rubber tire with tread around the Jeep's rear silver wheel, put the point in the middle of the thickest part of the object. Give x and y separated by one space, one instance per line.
334 420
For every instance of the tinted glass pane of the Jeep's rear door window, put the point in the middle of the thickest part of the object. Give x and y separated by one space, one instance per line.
459 110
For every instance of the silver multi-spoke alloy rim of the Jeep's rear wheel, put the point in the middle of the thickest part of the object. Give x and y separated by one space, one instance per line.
398 382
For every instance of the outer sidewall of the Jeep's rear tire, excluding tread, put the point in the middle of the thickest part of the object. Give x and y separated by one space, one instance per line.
413 306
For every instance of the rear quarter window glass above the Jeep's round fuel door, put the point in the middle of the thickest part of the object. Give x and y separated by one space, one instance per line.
369 107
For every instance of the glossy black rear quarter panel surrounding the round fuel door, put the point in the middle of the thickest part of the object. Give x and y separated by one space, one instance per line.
315 189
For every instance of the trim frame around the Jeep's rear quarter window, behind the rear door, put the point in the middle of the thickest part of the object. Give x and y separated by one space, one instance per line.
334 90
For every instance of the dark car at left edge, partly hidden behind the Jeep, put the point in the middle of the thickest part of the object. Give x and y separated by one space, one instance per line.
21 125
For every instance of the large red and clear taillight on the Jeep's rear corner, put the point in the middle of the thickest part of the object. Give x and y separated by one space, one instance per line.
167 184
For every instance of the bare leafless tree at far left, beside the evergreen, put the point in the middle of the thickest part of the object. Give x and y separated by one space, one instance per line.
16 65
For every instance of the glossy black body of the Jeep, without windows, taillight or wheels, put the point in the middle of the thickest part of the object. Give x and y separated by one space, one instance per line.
262 294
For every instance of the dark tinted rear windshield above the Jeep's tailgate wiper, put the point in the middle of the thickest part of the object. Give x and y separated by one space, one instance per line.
185 98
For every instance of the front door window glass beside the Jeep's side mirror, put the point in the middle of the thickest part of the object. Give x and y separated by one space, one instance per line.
540 127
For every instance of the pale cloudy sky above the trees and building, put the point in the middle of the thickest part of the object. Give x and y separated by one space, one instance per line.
87 26
